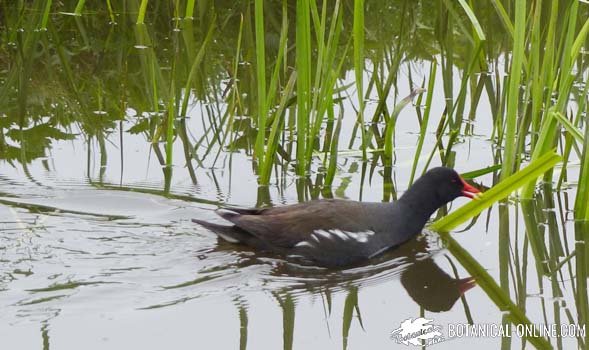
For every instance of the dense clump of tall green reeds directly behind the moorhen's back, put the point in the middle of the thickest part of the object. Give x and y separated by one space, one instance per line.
312 87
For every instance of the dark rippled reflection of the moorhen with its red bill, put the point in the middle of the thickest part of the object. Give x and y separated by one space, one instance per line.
413 262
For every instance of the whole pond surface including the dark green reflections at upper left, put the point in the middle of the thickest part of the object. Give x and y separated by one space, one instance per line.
97 249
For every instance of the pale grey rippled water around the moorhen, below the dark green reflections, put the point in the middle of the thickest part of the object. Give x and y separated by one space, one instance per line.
97 249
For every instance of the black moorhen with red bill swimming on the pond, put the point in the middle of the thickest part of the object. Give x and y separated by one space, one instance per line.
337 232
